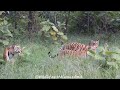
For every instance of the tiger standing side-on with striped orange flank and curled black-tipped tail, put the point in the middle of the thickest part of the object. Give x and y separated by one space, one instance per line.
76 49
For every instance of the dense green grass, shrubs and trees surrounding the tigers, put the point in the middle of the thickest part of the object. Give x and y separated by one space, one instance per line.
43 31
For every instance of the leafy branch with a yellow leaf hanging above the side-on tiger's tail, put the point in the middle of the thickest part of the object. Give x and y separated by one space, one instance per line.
51 31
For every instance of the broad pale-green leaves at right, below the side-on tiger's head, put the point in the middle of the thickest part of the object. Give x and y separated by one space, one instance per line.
111 58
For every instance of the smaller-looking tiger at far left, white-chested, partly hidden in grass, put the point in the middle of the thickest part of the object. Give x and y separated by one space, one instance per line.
10 51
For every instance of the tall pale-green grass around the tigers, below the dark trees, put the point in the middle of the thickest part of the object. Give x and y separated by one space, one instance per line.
35 62
